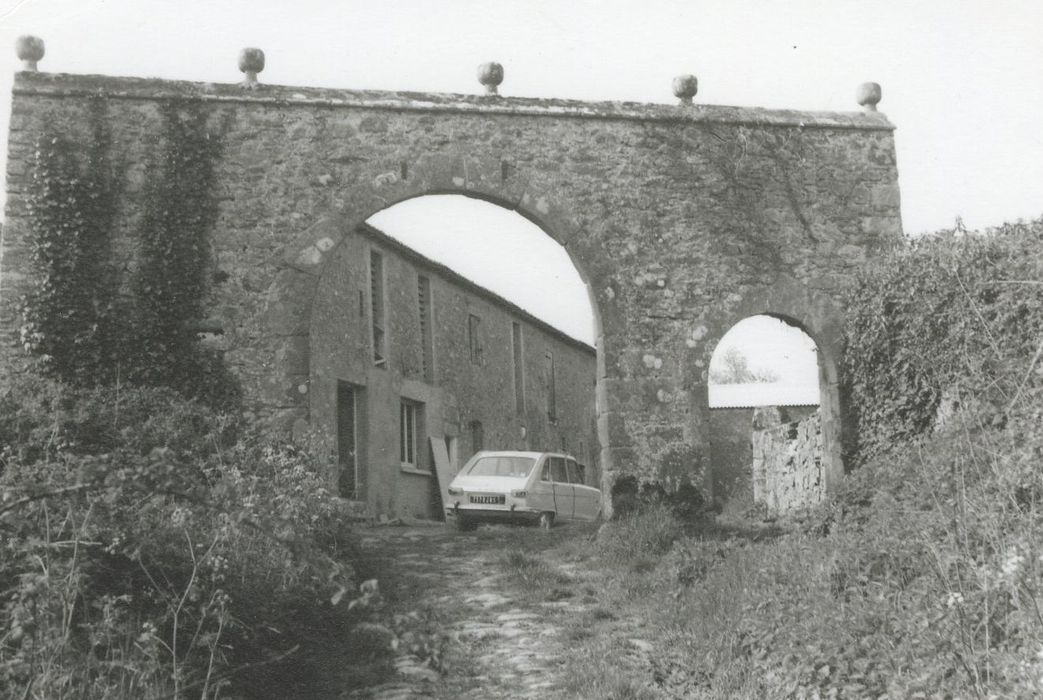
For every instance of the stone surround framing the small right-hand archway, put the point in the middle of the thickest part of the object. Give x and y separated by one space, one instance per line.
817 316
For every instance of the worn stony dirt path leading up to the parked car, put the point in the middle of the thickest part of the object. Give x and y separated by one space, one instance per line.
506 640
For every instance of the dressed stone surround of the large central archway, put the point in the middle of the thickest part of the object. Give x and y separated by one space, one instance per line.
303 263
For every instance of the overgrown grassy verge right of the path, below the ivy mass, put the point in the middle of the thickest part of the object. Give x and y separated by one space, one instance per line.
925 578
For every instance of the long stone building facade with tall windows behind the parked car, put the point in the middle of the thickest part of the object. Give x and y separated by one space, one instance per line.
413 358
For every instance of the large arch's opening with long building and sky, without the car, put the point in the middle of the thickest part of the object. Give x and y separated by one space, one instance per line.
467 327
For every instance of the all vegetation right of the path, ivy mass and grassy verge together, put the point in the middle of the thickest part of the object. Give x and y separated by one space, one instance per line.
925 576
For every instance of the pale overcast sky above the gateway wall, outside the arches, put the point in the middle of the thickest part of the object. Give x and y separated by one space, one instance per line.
960 78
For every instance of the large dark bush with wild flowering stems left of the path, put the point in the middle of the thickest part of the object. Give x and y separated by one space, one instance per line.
153 548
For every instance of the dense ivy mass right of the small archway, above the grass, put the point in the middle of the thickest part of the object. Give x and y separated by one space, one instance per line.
955 318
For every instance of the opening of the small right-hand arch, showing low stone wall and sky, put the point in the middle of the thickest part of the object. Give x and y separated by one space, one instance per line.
766 388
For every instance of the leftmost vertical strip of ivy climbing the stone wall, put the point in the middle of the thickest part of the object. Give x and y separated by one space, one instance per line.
70 310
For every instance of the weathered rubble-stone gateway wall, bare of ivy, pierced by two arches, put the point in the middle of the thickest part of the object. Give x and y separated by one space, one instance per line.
683 221
